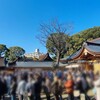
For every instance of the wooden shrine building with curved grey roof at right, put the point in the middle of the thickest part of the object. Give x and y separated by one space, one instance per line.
88 56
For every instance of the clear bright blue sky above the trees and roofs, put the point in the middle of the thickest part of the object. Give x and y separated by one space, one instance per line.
20 19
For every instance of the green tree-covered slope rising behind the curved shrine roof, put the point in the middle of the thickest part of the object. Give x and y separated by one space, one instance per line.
77 40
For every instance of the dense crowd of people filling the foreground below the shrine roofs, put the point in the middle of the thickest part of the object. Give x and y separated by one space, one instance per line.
29 85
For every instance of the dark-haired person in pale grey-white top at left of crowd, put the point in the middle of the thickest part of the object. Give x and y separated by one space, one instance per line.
21 90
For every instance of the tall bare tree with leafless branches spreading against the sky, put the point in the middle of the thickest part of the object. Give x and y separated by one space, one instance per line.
54 36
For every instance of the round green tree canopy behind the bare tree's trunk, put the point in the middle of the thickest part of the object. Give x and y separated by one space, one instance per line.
56 42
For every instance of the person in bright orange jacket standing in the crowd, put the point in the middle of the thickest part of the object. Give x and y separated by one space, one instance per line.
69 86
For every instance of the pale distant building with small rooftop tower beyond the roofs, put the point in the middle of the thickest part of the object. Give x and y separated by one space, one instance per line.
35 54
